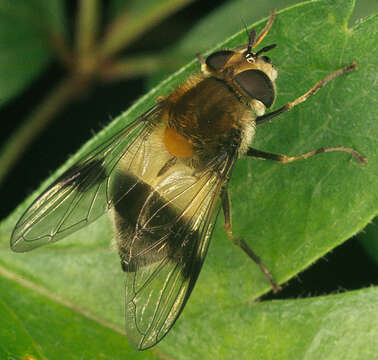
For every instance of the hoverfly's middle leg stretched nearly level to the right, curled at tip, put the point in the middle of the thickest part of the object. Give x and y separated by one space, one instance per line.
286 159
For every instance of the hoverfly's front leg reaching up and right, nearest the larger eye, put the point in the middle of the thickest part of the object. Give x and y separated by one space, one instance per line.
288 106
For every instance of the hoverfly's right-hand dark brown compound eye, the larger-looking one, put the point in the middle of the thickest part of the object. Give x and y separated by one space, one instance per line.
257 85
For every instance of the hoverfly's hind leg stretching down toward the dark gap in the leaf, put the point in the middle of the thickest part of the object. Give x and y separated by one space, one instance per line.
226 206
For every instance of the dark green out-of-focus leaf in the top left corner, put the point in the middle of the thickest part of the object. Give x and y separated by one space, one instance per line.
27 29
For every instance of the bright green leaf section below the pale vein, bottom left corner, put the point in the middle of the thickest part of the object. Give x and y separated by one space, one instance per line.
67 332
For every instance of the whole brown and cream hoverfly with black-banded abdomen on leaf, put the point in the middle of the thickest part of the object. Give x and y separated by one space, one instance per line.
163 180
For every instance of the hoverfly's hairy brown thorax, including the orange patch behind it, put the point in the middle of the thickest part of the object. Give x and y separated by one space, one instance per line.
204 118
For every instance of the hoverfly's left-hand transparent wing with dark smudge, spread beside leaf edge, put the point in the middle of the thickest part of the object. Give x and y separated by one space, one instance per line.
81 194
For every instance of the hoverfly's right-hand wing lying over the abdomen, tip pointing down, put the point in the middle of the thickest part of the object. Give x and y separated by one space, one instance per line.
163 249
